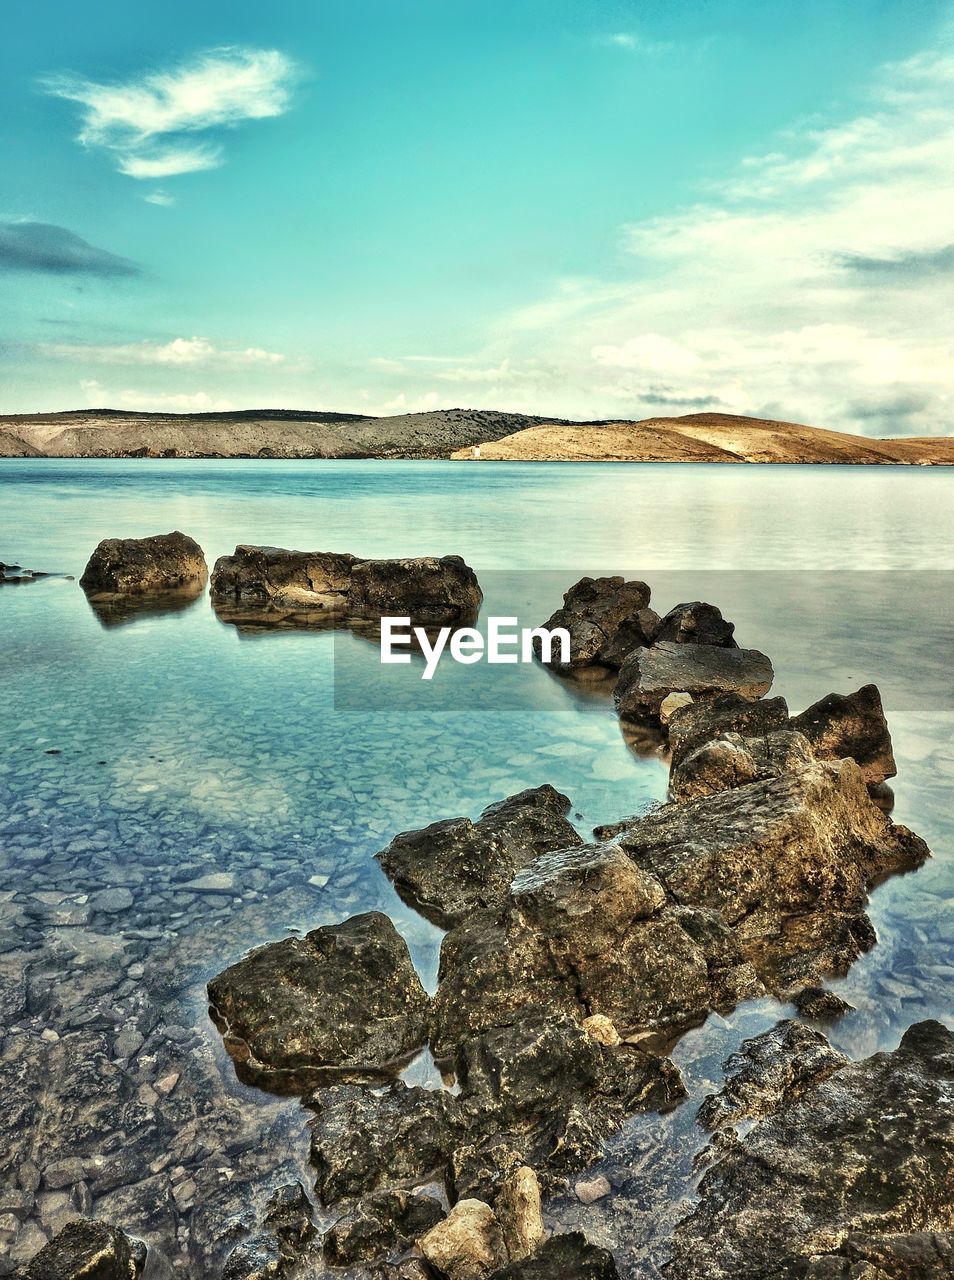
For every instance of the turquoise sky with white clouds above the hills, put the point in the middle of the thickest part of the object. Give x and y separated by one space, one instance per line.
609 211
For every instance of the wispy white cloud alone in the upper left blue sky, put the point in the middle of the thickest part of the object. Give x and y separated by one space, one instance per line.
148 124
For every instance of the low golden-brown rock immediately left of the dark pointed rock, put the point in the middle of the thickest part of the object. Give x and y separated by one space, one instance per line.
734 761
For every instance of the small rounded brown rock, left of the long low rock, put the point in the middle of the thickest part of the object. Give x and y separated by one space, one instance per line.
143 565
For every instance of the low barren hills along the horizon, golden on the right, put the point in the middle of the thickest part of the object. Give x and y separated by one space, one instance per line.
449 433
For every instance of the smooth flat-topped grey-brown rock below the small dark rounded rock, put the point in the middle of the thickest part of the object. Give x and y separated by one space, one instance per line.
649 676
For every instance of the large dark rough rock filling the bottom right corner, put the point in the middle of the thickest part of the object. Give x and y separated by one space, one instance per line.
851 1178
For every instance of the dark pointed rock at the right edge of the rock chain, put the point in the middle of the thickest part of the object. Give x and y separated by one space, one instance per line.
851 726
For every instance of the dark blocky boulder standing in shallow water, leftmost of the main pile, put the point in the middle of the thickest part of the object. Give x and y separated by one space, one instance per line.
344 996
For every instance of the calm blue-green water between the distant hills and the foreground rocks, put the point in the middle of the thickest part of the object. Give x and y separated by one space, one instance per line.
185 748
